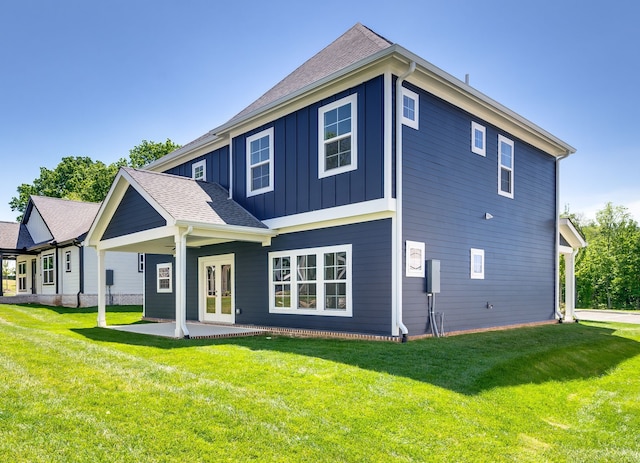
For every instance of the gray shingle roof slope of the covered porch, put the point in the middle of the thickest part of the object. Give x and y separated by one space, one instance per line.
189 200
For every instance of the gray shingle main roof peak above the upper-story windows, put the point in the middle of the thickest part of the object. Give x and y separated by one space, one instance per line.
354 45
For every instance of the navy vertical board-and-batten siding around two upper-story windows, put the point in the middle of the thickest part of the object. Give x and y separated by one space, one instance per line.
297 188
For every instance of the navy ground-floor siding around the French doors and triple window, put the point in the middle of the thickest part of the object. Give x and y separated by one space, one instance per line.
371 273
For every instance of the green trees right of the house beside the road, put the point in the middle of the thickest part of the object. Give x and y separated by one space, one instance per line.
608 269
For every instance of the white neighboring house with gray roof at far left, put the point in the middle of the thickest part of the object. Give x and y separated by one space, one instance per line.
52 264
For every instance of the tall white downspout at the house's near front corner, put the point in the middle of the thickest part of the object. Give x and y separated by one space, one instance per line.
399 253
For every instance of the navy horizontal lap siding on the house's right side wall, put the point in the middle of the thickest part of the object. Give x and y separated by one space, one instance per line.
447 190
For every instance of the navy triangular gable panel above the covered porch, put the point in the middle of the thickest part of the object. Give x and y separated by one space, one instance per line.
133 214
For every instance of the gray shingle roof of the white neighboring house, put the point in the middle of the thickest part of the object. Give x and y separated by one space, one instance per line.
66 219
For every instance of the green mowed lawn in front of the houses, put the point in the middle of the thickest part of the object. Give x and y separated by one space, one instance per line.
70 392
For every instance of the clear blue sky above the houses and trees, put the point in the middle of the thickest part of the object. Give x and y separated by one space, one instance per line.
89 78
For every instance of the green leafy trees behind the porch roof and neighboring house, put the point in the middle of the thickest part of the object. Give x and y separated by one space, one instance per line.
82 179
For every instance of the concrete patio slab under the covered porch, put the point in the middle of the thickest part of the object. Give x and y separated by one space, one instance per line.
196 330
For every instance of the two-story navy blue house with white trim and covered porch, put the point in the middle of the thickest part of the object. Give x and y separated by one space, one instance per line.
336 200
